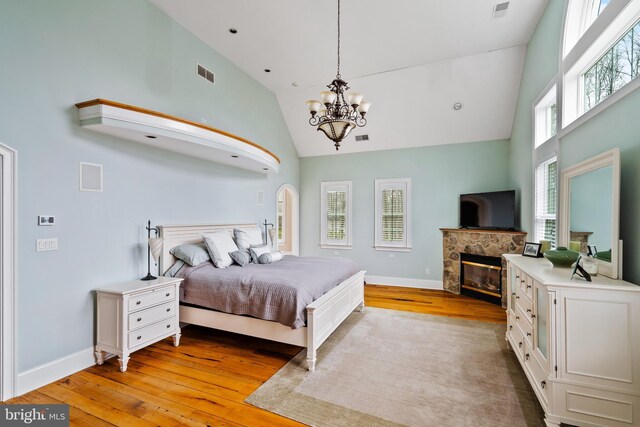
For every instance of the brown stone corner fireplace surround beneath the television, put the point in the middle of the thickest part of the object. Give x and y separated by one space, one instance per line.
488 243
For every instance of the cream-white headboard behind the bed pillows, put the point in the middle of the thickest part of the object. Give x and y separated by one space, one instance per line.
175 235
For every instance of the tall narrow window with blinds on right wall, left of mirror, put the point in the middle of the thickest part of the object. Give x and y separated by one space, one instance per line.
546 198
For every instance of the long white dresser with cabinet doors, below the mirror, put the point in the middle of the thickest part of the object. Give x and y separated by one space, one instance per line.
578 342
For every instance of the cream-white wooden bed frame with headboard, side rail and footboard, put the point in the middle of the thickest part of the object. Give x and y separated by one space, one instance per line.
324 315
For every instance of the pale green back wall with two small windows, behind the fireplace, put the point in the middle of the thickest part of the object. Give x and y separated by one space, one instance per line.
439 175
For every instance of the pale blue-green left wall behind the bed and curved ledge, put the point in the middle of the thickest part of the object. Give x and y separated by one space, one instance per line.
57 53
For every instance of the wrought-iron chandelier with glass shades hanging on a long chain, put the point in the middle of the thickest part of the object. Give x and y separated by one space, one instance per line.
340 114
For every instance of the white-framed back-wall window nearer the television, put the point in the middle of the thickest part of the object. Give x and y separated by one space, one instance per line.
393 214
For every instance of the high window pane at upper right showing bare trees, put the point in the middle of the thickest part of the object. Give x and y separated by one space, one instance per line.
617 67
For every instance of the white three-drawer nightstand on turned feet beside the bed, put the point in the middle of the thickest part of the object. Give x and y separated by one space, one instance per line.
135 314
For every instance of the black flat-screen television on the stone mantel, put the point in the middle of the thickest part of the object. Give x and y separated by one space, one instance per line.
495 210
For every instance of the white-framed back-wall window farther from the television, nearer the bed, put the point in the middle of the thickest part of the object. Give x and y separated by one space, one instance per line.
335 214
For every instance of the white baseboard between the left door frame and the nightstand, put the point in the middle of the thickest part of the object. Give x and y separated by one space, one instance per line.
53 371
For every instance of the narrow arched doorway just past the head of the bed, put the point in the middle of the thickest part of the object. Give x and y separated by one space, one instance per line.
288 219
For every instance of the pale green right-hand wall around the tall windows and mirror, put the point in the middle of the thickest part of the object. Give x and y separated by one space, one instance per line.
617 126
